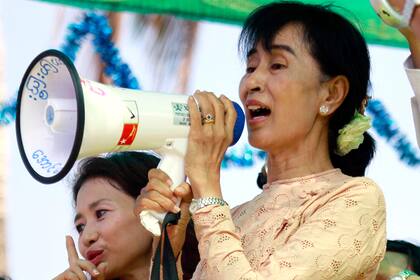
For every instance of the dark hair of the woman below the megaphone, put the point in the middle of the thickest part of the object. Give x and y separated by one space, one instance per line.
127 169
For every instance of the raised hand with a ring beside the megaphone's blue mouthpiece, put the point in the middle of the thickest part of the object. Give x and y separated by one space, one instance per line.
210 135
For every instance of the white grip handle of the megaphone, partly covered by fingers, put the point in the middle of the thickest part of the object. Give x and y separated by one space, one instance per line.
173 165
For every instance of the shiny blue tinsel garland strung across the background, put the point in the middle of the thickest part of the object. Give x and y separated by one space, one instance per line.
120 72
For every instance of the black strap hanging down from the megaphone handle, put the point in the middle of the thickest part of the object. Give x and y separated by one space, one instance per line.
168 258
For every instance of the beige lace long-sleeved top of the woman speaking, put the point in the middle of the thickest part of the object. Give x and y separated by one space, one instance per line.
322 226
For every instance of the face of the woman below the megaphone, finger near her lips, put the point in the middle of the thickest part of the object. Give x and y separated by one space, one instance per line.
108 229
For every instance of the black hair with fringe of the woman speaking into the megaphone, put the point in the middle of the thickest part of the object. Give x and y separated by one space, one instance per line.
339 49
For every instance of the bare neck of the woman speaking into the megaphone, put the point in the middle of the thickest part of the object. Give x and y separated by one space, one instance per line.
305 158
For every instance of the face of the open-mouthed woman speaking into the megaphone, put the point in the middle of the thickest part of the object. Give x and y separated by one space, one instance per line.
280 91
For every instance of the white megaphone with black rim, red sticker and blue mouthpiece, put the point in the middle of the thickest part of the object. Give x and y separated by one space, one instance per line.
62 117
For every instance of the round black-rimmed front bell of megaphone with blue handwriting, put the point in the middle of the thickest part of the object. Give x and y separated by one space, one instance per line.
50 116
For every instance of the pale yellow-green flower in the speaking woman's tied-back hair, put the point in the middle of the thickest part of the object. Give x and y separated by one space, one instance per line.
351 135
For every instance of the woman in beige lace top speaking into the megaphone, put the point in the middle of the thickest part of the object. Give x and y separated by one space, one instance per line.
304 92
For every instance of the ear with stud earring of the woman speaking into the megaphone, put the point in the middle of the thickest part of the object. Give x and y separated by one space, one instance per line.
336 90
